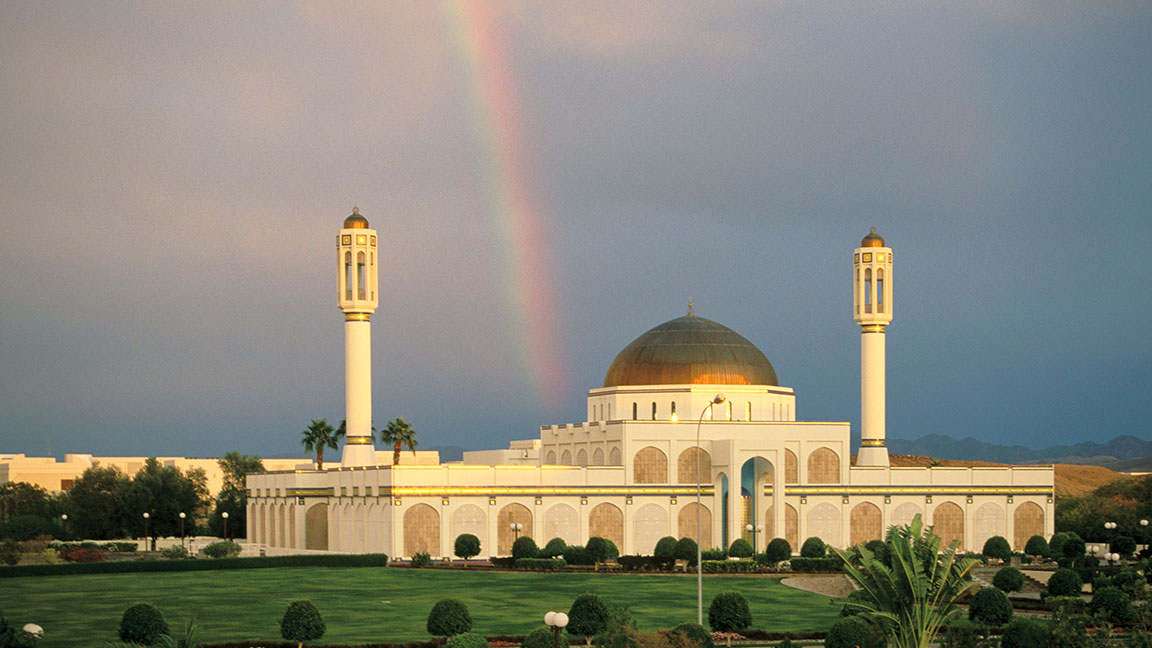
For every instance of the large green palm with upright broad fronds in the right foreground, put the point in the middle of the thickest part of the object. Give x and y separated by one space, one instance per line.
913 596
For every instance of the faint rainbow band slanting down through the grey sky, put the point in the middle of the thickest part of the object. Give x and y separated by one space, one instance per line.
510 201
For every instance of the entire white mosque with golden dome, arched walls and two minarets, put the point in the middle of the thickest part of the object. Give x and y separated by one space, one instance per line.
691 431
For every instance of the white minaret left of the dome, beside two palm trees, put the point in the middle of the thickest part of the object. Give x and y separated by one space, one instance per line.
359 298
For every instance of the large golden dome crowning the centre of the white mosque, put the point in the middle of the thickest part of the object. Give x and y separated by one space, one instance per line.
691 351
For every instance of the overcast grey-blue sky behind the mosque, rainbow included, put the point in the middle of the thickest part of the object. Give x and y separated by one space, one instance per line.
173 177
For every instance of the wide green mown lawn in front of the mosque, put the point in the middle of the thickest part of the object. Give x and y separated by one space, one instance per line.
366 605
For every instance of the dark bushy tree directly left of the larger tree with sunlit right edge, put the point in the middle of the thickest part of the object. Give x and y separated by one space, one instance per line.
96 503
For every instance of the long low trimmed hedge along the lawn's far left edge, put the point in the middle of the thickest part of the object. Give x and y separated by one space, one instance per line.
199 566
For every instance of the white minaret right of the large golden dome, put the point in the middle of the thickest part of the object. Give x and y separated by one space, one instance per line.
873 303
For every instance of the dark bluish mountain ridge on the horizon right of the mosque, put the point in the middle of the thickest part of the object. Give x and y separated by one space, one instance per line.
1123 454
